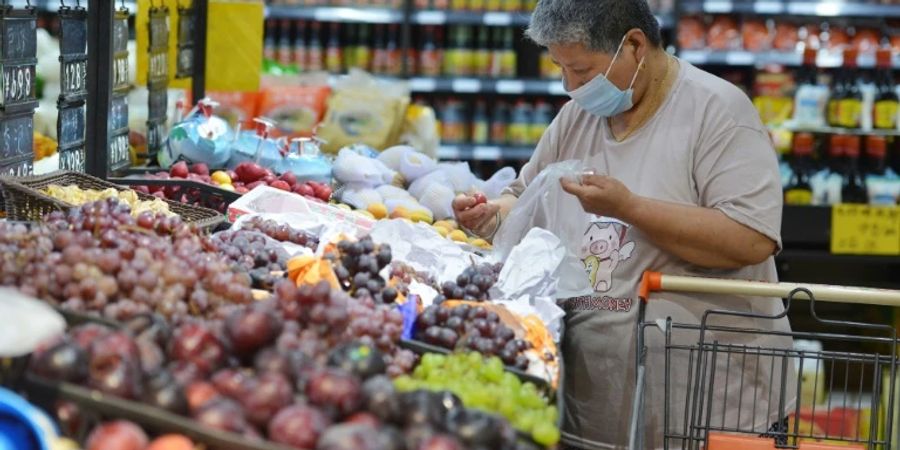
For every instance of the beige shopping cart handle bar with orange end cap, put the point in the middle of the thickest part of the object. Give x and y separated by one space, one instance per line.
657 282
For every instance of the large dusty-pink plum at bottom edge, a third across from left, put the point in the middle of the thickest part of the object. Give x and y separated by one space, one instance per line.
299 426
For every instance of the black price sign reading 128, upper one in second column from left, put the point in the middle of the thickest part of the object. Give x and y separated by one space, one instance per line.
73 53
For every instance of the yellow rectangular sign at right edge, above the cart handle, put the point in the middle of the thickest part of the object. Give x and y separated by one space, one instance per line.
865 230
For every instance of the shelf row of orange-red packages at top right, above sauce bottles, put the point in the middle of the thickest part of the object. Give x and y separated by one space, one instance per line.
746 41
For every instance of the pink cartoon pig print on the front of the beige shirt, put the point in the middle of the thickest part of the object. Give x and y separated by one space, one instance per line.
603 249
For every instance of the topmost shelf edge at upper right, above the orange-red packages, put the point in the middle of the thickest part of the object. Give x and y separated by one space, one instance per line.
800 8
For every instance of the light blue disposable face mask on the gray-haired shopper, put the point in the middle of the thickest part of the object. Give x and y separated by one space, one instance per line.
601 97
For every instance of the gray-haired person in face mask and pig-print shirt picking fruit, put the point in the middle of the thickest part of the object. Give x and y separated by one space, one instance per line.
687 184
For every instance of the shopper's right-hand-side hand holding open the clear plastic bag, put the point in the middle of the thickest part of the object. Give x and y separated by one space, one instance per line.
601 195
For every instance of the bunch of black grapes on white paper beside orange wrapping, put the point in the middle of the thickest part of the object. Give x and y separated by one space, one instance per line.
358 265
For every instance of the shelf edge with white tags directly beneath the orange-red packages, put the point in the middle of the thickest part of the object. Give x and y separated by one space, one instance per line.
792 59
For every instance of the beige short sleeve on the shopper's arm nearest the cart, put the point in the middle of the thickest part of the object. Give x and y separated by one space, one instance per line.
737 173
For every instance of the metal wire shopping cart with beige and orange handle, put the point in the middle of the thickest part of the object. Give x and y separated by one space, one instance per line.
713 373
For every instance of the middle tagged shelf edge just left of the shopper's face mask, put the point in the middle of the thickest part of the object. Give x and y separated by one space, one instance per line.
486 86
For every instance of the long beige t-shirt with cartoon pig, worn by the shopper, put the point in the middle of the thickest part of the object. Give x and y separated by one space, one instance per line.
706 146
